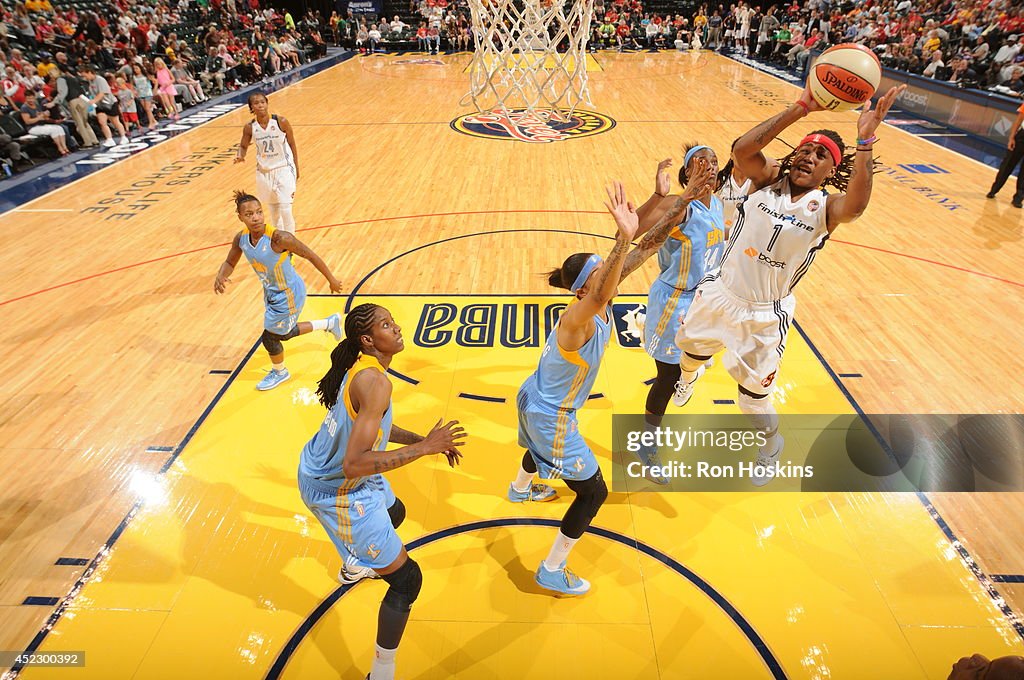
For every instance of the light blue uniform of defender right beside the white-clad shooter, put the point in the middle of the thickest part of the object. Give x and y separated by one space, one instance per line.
693 250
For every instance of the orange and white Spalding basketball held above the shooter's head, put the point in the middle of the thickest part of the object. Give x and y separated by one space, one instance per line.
845 77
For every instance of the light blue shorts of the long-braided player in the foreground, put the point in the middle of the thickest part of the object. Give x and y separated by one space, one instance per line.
357 522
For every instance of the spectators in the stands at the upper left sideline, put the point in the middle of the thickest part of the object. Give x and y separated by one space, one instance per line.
75 77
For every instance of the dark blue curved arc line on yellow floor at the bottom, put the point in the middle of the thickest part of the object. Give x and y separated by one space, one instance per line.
752 635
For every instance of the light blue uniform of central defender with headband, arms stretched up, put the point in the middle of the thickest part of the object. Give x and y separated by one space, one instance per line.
548 402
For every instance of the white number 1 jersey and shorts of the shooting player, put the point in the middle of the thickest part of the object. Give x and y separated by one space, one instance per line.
748 306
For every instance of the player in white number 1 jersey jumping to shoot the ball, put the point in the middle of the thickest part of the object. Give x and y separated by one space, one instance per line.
788 218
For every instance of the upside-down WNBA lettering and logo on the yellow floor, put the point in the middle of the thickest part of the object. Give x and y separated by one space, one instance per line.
524 323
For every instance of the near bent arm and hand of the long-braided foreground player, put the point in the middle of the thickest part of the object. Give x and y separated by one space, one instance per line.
372 394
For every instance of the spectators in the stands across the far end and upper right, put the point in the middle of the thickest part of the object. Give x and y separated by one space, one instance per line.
974 44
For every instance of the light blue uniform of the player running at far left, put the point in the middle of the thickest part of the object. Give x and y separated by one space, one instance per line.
284 290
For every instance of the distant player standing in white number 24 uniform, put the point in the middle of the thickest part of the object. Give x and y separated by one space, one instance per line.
277 161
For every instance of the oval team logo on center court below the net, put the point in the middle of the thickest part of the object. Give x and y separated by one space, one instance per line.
522 126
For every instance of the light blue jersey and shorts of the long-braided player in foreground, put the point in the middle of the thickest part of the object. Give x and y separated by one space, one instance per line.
353 512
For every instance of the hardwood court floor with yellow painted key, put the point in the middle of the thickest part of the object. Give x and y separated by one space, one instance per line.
112 331
